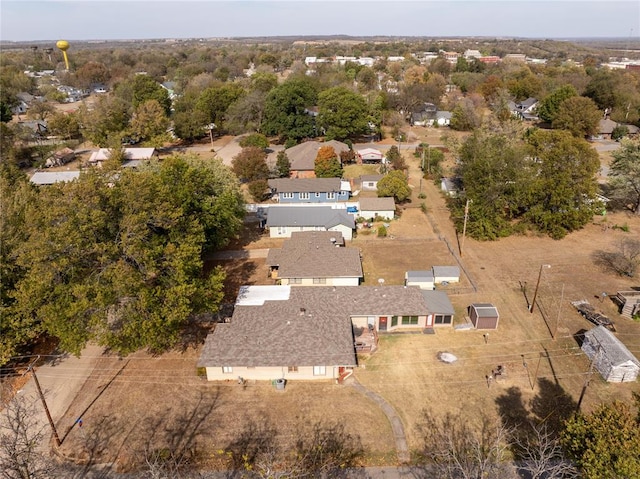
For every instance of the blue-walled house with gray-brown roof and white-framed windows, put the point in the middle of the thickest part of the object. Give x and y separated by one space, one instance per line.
310 190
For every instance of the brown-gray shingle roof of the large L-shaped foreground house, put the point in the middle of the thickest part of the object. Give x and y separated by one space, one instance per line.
312 327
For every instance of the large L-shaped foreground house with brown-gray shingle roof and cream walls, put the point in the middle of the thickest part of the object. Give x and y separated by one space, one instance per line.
280 332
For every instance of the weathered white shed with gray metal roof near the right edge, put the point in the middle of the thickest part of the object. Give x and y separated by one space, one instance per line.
610 356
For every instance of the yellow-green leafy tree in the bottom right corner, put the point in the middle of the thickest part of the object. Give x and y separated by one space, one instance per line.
606 442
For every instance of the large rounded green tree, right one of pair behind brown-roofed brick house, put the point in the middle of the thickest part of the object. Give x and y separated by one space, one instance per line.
342 113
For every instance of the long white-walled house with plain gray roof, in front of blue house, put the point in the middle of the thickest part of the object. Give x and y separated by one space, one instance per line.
284 220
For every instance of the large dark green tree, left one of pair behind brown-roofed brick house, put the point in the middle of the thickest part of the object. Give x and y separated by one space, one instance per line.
285 110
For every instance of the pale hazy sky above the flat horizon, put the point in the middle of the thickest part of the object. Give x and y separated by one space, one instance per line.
27 20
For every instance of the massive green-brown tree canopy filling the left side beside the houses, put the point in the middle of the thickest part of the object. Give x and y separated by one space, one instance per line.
120 262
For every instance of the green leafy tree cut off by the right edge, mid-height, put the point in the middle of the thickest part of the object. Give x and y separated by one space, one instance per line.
625 174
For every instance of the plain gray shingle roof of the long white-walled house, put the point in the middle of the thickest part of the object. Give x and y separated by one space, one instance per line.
308 216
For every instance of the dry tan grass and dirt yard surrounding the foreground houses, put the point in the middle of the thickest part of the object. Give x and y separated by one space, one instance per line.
161 400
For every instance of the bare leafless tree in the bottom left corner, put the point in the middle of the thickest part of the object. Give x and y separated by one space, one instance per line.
21 438
